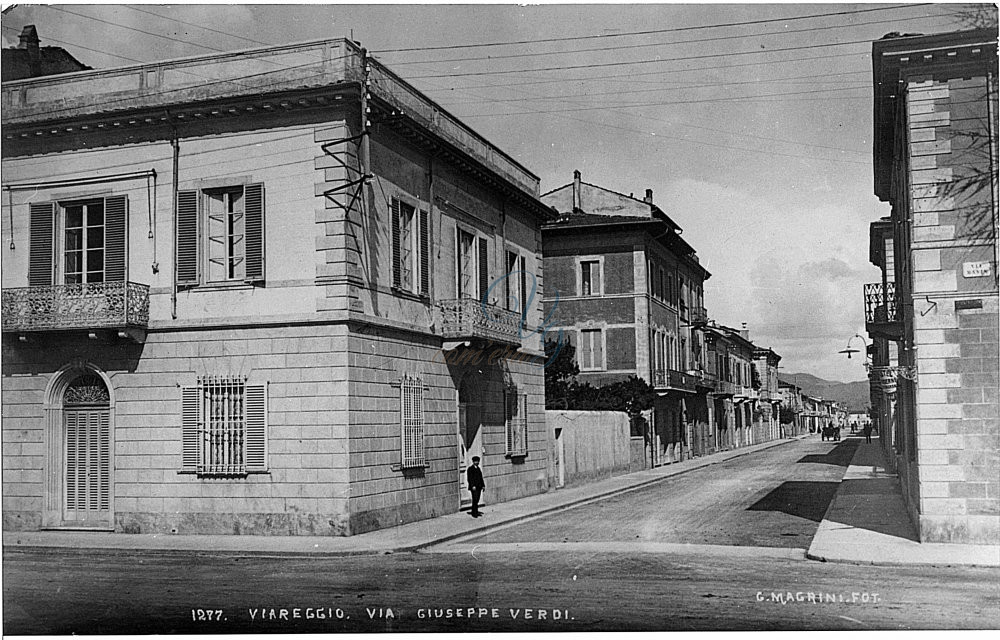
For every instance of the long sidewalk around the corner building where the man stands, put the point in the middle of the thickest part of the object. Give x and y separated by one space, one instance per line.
408 537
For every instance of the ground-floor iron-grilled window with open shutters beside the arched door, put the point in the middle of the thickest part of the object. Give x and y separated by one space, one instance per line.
224 427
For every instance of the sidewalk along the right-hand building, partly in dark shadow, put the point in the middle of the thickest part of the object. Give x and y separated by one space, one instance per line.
867 523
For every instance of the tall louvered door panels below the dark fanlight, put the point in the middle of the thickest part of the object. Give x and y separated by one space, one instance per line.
87 481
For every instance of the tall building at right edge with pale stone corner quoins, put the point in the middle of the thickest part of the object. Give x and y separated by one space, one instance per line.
933 316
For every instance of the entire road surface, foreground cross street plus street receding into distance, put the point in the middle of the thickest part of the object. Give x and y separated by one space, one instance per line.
525 577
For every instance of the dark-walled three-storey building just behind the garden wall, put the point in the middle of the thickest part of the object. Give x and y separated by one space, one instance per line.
627 291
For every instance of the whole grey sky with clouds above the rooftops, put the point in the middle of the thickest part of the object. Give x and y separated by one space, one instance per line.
755 138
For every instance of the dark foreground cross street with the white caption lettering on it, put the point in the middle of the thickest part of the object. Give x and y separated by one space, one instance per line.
57 592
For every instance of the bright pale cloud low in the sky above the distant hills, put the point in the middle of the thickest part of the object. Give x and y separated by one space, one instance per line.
791 268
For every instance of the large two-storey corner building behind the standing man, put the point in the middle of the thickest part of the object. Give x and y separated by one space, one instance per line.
276 291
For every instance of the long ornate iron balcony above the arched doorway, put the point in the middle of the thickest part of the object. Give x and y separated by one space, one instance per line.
117 306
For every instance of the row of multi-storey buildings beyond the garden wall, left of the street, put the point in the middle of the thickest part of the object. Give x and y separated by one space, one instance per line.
627 291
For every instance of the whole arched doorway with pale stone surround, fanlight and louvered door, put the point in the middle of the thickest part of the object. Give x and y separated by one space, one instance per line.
80 451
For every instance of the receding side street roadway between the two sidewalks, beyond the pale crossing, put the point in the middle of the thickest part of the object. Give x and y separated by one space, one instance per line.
773 498
